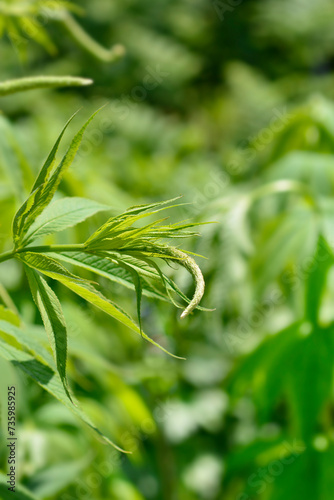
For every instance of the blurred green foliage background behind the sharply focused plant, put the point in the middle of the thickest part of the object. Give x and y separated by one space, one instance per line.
231 105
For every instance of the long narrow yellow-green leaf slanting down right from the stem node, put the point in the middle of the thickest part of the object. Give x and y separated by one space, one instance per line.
84 289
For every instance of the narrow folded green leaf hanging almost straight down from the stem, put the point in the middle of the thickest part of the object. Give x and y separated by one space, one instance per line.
53 319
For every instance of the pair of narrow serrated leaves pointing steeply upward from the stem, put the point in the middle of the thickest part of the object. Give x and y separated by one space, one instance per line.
47 185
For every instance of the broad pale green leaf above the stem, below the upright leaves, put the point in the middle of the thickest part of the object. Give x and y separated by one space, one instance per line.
61 214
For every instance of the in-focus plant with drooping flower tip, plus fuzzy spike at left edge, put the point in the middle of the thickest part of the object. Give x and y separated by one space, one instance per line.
119 250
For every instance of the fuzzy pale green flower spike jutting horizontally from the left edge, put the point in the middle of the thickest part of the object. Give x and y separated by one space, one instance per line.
38 82
